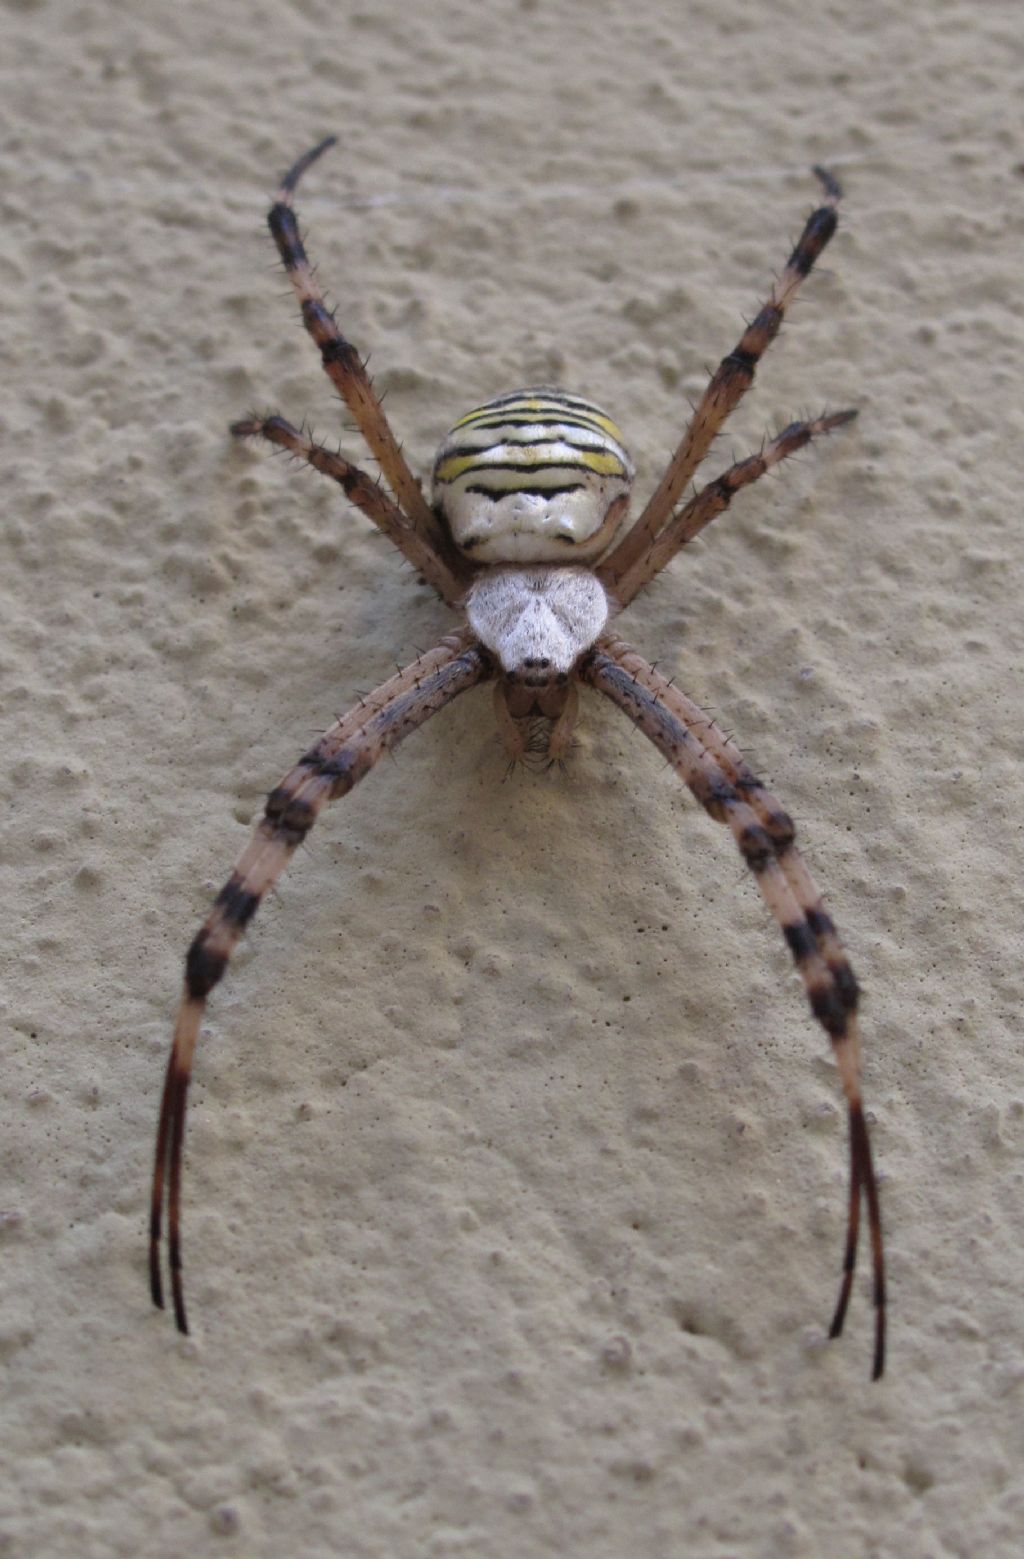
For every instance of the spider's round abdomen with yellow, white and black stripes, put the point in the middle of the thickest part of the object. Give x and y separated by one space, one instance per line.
537 476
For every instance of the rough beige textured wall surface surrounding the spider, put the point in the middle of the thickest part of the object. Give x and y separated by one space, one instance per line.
517 1167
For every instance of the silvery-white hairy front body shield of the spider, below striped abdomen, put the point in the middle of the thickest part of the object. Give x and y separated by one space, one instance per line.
537 621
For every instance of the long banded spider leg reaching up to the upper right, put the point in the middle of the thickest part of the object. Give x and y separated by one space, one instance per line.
727 387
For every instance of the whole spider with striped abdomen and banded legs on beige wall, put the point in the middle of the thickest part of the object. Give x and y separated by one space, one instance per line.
528 539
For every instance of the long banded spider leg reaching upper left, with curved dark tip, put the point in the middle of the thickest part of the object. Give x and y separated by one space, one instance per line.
342 362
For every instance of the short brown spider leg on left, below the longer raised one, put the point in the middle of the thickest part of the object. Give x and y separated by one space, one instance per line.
442 571
